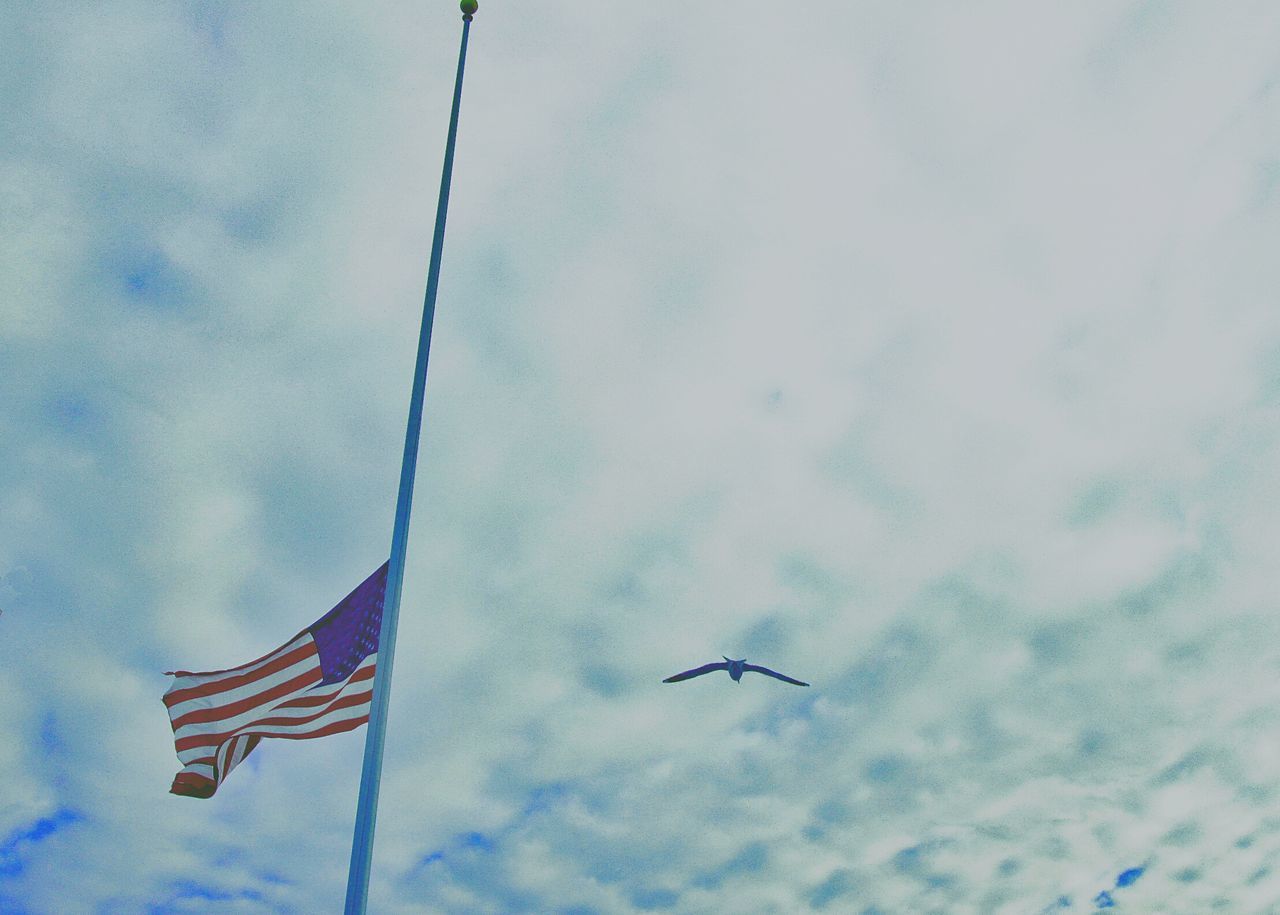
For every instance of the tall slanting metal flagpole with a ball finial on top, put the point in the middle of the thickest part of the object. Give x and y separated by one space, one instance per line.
371 774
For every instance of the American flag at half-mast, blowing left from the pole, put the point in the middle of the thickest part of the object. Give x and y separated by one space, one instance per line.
319 683
